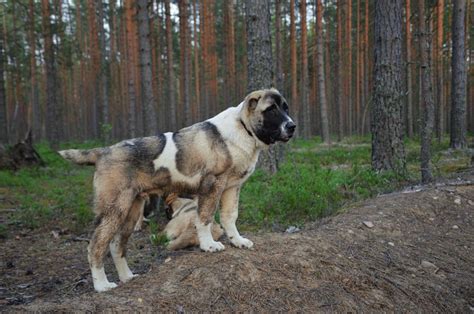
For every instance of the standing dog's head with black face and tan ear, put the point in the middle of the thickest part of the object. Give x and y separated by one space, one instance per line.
268 116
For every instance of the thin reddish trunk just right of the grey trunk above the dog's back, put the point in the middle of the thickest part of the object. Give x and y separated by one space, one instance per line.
171 76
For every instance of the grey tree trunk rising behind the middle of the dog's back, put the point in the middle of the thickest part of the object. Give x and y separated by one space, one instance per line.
149 113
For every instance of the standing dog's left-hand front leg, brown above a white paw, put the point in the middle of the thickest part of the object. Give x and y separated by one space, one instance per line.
207 206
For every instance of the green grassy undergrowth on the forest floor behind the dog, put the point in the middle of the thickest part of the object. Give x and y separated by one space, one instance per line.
314 181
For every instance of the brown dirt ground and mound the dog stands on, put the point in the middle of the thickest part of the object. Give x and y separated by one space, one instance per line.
418 255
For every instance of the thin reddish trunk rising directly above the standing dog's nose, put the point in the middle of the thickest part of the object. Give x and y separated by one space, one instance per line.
293 74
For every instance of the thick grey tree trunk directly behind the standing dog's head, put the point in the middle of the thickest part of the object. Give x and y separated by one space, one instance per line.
260 64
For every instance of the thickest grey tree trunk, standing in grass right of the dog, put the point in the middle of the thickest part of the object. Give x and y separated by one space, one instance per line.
387 144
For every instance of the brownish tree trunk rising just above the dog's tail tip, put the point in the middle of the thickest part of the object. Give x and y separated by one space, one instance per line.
52 84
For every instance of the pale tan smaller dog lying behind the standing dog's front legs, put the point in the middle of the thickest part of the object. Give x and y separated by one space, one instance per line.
180 230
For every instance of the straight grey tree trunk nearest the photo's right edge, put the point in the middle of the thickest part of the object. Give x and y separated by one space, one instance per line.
459 77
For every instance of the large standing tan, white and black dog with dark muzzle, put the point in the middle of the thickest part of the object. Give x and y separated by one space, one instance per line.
209 160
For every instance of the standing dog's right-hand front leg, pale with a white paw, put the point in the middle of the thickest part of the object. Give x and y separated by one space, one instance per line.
229 214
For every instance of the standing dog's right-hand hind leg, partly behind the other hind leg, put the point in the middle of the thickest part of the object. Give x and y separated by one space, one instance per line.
118 246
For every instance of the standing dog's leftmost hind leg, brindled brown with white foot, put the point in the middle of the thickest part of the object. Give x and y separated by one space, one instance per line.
112 218
